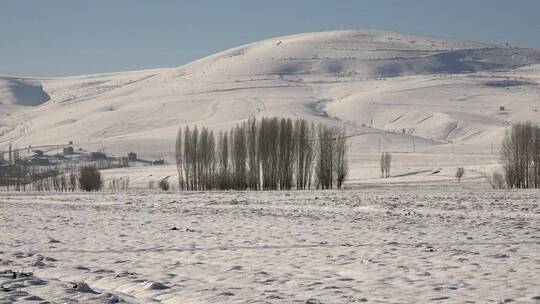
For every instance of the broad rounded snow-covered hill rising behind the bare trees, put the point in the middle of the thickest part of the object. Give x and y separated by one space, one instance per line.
425 90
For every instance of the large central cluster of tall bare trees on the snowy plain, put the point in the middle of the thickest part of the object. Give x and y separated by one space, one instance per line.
267 154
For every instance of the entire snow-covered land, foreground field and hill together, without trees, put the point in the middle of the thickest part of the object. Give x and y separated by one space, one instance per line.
416 237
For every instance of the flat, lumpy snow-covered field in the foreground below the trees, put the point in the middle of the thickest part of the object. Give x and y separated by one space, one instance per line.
452 245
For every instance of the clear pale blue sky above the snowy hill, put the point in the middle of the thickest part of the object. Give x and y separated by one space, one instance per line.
70 37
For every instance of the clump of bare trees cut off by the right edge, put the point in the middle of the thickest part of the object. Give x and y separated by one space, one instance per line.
521 156
